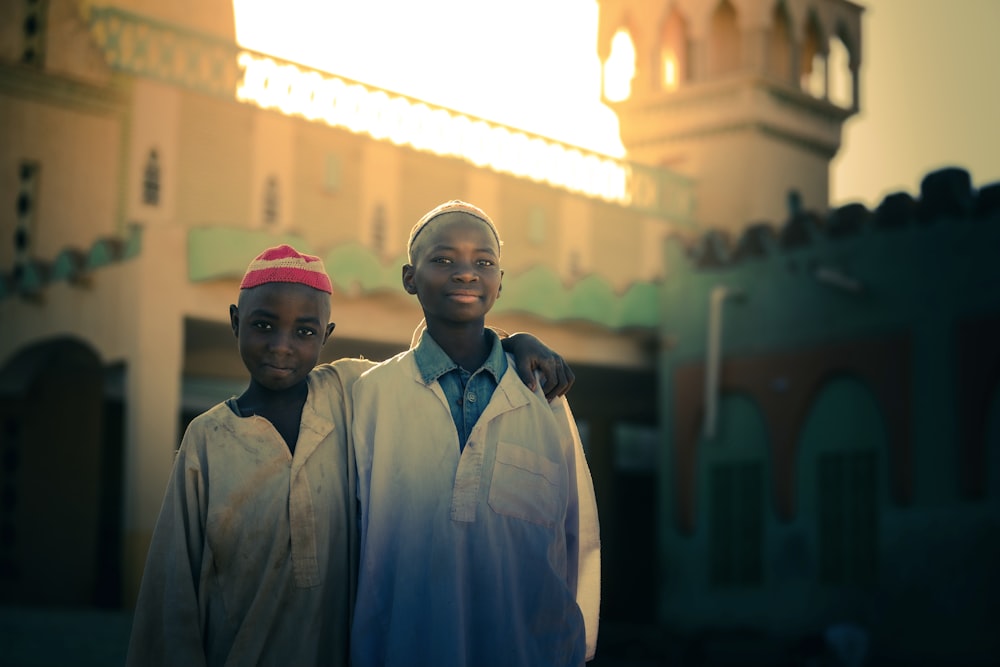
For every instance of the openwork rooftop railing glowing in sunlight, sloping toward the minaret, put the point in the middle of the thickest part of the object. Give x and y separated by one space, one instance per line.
145 47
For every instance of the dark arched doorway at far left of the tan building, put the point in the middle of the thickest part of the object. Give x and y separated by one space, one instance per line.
58 523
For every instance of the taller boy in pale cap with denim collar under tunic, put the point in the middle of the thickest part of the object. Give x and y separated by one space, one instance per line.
479 536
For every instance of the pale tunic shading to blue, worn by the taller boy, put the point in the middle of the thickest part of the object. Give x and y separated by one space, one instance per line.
485 556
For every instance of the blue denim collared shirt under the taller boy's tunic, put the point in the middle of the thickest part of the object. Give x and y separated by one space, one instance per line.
468 393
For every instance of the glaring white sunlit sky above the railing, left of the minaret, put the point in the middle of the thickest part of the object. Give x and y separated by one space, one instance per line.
509 73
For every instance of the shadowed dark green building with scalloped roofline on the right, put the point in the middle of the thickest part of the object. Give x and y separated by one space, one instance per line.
846 366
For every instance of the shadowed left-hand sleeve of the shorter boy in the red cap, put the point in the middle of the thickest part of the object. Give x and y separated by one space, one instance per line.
167 628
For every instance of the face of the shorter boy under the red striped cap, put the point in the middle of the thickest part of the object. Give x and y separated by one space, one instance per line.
281 328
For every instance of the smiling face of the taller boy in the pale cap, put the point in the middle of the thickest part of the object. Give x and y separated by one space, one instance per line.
456 268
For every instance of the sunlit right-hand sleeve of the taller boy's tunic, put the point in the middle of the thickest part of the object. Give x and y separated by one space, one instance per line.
582 530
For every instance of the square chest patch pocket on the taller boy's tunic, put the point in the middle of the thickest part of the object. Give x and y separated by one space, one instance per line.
525 485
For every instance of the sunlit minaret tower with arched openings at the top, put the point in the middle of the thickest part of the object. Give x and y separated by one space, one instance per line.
747 97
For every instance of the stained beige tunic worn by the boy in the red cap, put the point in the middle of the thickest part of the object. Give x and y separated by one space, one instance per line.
253 558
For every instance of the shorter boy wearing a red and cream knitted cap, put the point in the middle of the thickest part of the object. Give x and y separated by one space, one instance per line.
252 560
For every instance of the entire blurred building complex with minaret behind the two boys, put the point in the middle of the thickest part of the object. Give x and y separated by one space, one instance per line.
791 412
